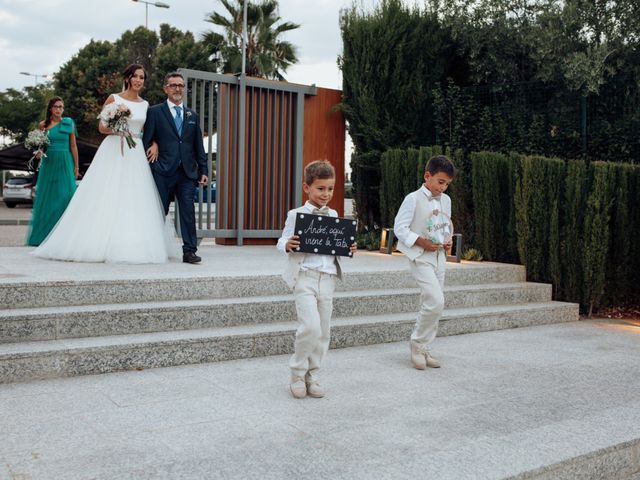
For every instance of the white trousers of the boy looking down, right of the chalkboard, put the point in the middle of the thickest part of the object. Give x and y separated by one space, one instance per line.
428 270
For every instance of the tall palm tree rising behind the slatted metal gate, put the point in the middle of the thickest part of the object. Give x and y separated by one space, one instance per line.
267 55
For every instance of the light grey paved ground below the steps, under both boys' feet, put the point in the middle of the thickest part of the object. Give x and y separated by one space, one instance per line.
546 402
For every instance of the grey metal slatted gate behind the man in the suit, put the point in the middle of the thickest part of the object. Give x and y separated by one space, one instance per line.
254 142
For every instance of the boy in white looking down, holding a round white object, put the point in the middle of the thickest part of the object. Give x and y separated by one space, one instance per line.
424 230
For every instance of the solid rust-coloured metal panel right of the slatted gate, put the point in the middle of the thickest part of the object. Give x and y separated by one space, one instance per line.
324 136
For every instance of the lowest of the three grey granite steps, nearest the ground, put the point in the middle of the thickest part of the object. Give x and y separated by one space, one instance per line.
80 356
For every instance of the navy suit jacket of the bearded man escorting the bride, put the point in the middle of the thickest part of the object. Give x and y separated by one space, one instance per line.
175 148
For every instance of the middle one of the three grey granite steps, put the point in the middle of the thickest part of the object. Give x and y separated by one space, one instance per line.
49 323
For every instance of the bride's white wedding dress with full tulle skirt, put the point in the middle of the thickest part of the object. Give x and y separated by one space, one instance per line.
116 214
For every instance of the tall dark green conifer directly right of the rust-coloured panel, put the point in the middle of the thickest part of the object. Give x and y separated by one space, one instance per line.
392 58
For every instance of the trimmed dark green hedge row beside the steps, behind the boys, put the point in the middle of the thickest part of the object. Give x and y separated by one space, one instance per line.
572 224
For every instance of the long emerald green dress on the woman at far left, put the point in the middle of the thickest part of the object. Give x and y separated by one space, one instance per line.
56 183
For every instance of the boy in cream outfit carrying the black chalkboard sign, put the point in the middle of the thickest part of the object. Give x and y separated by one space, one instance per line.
312 277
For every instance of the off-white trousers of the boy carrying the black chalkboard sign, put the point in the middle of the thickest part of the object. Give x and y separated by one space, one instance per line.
313 295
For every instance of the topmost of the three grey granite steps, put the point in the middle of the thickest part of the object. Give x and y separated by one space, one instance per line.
16 293
